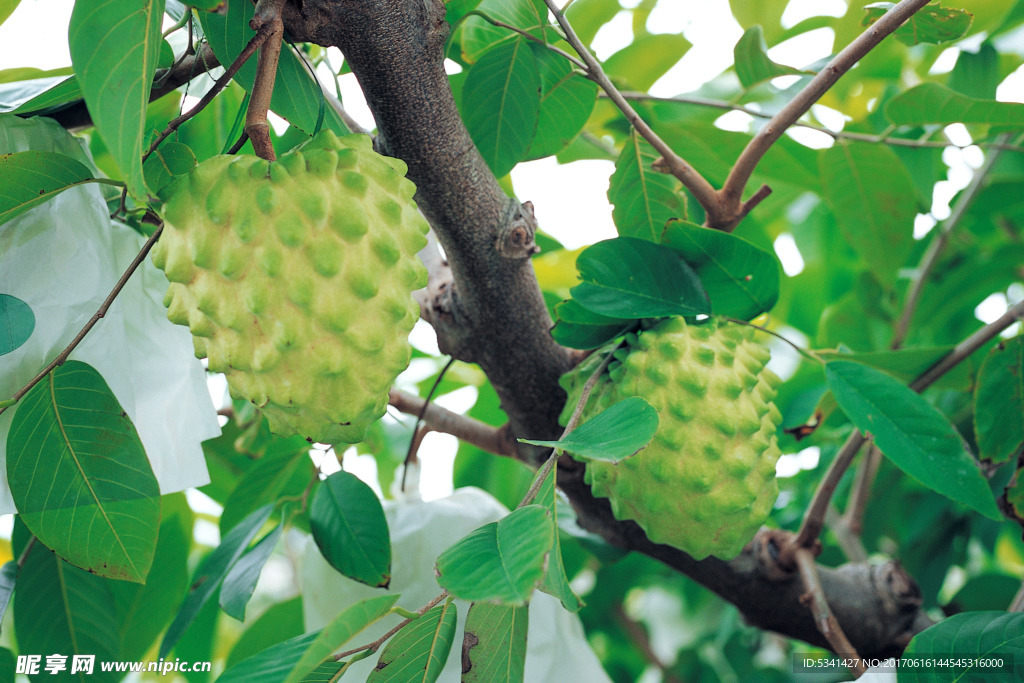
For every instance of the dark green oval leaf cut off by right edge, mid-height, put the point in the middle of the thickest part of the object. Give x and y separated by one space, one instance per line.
999 403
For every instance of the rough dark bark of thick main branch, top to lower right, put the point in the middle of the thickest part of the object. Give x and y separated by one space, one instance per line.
493 314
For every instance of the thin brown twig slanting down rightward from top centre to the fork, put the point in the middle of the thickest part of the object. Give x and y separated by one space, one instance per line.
691 178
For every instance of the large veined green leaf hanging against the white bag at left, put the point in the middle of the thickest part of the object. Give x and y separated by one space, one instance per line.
78 471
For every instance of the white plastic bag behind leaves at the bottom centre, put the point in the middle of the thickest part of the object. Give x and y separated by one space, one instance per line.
558 650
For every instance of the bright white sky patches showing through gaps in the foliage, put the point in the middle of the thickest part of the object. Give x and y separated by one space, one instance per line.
571 201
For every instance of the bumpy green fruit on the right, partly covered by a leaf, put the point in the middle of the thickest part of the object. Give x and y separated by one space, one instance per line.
707 481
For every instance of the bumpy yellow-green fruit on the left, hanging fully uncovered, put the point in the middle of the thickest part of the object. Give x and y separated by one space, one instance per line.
295 279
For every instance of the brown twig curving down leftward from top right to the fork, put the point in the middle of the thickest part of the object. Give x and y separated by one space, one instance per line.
733 191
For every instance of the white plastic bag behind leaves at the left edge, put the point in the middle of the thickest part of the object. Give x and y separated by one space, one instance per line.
62 259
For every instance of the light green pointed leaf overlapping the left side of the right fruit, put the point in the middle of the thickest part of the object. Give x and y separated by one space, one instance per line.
613 436
